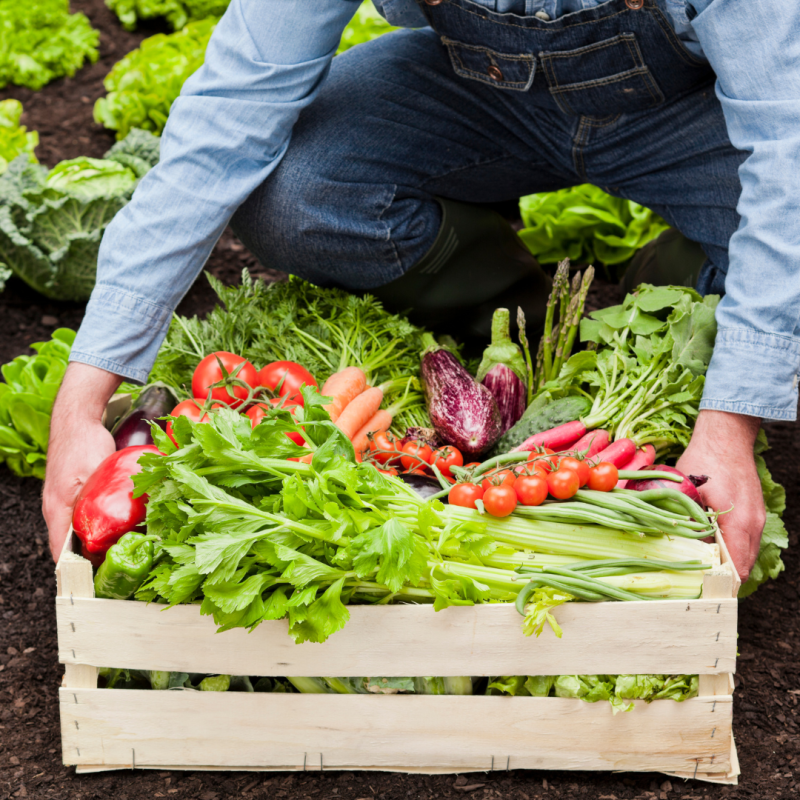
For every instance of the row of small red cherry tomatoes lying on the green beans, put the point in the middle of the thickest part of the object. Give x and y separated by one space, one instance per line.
545 473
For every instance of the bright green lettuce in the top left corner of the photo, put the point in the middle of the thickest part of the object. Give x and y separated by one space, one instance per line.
41 41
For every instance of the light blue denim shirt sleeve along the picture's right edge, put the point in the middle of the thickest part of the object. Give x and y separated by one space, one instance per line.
754 49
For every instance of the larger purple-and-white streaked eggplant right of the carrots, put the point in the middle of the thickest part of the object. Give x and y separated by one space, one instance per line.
463 412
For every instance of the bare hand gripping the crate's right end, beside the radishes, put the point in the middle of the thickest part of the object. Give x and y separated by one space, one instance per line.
722 448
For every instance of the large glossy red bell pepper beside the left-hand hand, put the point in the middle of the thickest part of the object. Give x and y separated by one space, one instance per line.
106 508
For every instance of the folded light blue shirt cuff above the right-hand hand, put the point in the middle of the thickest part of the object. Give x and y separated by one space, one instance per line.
753 373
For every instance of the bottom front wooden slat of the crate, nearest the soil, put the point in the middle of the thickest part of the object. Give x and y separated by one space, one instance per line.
386 732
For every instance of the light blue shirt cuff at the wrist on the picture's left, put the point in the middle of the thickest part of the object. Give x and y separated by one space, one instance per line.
121 333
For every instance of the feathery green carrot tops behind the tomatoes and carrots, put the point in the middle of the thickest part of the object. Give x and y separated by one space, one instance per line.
325 330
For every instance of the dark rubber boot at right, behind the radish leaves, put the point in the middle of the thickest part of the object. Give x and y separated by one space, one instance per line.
669 260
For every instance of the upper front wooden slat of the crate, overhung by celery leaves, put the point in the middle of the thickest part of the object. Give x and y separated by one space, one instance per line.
670 636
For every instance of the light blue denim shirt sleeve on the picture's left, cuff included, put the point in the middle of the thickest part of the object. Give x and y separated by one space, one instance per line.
226 133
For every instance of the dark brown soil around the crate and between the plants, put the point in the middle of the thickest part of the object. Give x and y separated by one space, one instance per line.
766 714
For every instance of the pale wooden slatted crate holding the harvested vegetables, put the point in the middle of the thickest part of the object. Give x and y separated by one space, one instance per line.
106 729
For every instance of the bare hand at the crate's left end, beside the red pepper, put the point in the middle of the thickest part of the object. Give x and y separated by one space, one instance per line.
78 443
